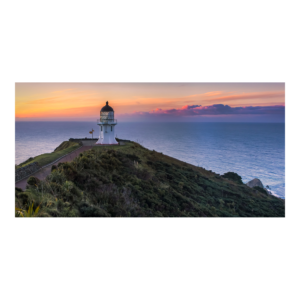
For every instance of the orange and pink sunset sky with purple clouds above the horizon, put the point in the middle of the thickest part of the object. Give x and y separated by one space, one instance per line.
151 101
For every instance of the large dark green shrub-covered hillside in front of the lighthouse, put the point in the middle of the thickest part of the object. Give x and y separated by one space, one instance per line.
131 181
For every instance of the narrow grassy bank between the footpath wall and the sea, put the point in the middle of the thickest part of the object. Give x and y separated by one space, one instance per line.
47 158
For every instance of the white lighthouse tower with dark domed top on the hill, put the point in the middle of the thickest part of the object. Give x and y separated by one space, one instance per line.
107 125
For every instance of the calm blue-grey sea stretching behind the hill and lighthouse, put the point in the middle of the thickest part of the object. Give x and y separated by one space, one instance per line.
250 149
